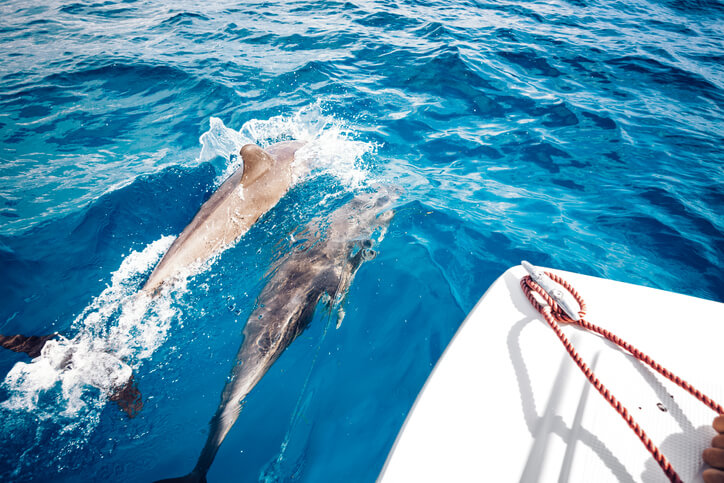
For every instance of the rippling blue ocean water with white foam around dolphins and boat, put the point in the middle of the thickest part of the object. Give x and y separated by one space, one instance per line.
578 134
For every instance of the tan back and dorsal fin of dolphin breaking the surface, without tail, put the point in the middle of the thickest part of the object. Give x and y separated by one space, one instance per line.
246 195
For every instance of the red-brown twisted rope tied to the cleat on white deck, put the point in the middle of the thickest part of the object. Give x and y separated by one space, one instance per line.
554 315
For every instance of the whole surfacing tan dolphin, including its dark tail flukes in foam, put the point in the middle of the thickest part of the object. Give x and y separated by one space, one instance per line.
251 191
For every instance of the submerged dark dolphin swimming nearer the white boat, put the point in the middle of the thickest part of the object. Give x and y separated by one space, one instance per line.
320 272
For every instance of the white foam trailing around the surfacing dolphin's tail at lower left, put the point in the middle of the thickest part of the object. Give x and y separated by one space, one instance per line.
112 336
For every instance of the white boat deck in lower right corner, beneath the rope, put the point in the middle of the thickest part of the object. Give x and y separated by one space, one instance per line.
506 403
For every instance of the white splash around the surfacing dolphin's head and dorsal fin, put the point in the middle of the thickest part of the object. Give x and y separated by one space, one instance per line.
331 147
